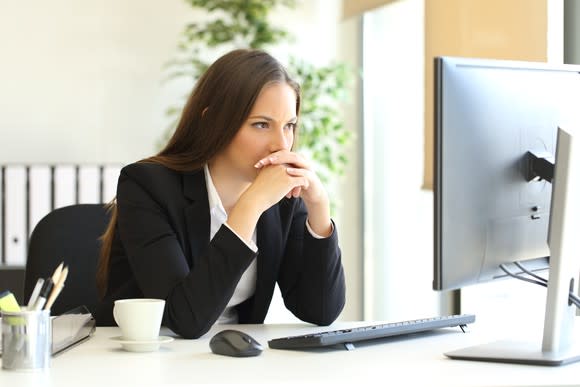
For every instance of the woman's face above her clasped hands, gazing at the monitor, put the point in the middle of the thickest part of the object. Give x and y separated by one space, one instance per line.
268 128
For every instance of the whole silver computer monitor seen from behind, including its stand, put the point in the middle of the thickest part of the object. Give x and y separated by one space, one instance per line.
502 158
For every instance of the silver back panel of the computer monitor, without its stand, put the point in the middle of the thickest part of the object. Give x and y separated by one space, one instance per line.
488 115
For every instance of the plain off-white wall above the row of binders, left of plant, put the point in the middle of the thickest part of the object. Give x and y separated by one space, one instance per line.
81 79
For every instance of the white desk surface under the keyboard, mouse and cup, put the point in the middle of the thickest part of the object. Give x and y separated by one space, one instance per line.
413 360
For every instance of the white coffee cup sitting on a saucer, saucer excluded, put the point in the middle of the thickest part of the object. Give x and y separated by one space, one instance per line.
139 318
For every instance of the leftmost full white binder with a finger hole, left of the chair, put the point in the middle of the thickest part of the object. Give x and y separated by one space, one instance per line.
15 235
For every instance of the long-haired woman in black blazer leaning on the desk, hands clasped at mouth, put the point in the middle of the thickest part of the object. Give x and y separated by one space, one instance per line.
225 211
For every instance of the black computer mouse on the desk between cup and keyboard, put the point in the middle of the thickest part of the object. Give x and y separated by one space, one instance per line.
235 343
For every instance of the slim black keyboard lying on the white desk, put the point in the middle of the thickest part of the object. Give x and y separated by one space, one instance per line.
351 335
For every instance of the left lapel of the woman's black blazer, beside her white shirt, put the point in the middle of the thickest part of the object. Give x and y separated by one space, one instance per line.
197 213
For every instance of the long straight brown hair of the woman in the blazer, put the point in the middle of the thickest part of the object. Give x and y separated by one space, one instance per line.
218 106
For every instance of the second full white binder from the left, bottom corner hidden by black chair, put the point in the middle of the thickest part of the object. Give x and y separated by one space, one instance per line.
39 193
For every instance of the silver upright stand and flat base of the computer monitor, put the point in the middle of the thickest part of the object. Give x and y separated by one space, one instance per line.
559 345
